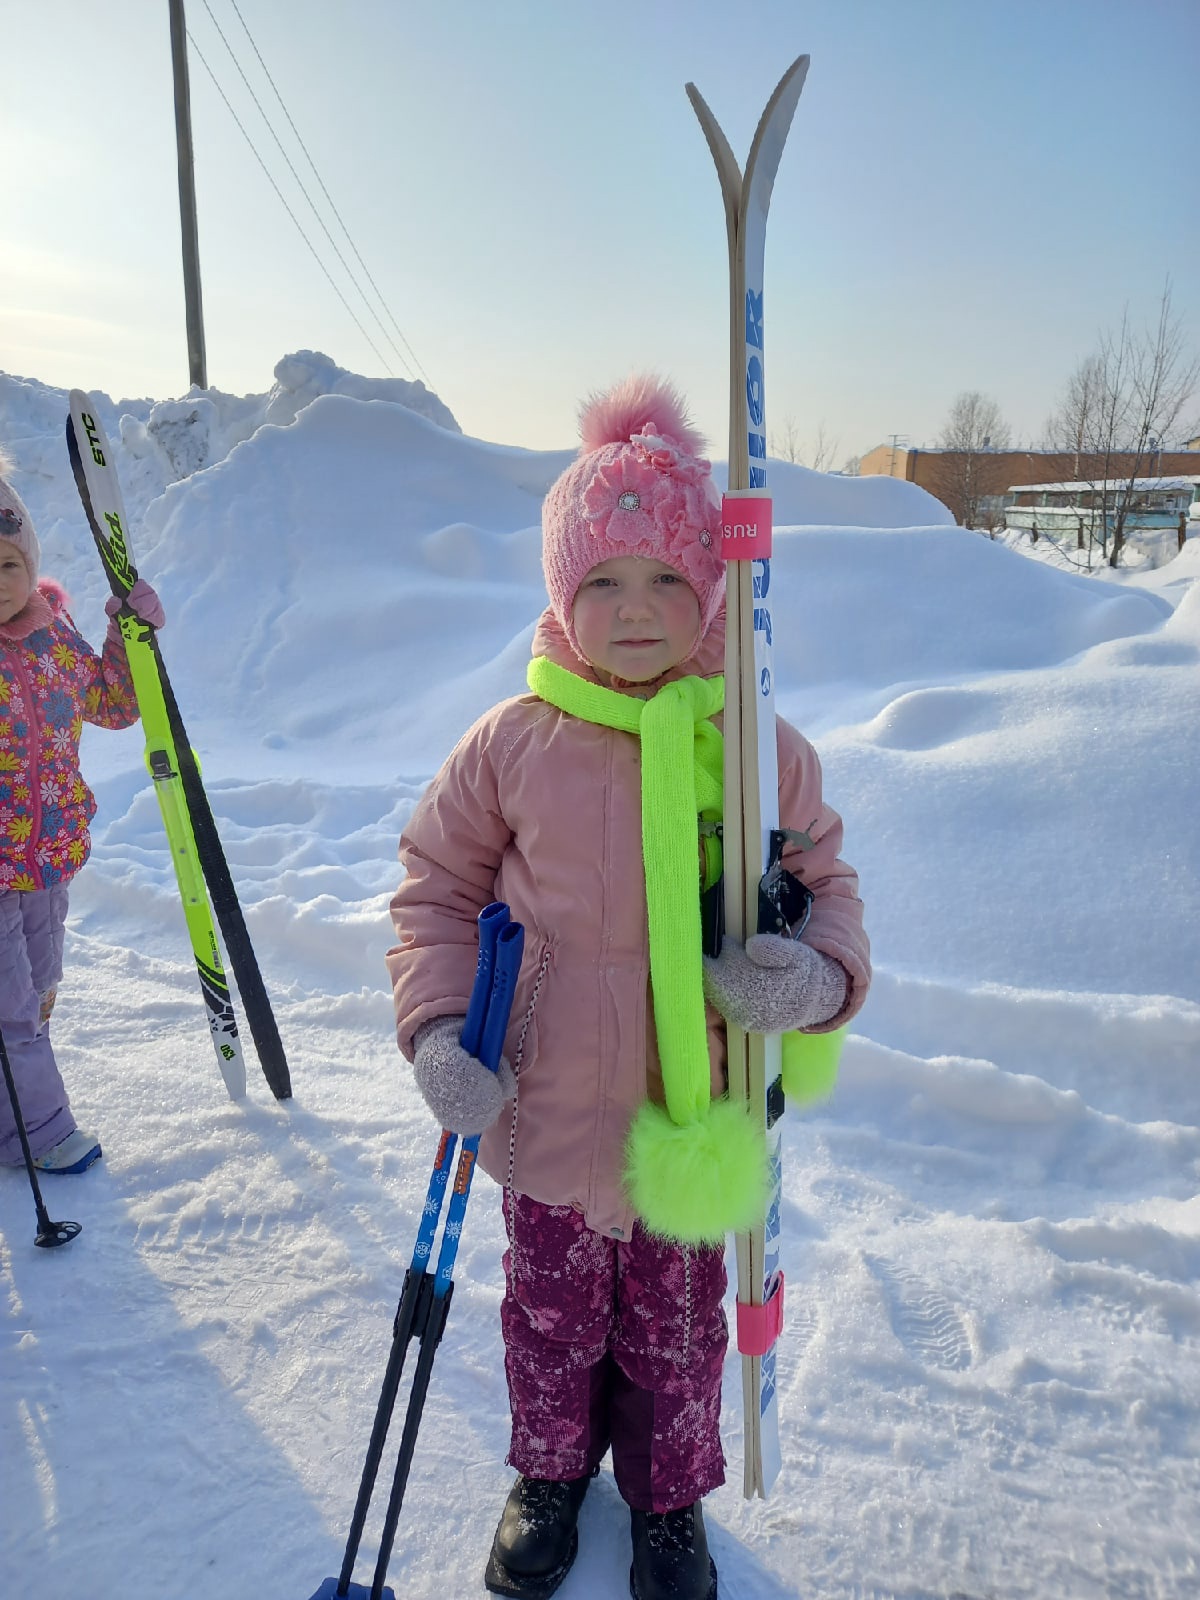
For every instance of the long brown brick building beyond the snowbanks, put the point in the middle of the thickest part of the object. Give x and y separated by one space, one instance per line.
998 473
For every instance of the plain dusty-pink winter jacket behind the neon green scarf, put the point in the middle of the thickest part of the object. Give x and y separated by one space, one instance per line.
543 810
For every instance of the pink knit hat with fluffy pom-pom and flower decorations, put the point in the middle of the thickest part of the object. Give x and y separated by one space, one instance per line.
638 487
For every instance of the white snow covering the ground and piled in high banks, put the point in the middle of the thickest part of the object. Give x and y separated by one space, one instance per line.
991 1370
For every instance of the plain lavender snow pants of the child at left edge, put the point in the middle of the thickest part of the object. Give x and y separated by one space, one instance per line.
31 966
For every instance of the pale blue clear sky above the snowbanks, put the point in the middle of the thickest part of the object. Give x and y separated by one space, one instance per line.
970 194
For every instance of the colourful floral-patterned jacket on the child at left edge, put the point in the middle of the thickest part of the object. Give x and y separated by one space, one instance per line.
52 682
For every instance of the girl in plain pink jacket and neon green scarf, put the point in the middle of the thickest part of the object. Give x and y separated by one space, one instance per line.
590 807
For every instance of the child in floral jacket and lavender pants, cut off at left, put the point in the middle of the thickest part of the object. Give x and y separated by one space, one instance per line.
52 682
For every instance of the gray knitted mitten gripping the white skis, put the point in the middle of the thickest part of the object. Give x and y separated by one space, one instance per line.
774 985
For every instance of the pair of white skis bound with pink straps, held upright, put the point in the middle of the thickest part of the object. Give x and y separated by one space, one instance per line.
751 764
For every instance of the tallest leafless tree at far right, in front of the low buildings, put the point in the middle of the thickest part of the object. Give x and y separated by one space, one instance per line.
1118 412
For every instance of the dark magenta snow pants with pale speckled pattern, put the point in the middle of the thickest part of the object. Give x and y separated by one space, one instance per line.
610 1343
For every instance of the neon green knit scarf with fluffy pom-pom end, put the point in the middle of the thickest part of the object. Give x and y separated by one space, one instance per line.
697 1170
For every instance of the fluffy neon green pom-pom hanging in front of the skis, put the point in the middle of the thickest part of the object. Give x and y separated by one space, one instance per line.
700 1182
